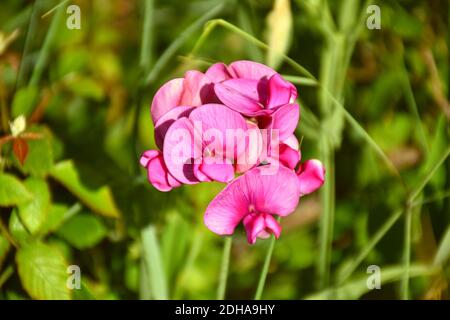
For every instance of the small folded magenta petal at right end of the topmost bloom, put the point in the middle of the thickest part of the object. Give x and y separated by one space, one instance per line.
281 92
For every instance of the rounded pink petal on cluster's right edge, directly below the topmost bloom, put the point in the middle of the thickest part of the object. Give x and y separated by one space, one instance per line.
285 120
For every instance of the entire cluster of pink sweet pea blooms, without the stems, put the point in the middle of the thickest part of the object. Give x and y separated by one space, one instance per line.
233 124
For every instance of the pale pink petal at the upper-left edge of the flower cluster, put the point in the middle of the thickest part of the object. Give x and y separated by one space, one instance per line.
166 98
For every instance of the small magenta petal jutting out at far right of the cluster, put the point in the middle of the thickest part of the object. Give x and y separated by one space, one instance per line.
311 176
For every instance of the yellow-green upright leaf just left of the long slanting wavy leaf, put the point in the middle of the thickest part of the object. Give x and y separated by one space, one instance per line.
33 213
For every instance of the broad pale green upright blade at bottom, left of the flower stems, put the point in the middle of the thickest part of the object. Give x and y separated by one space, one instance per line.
153 264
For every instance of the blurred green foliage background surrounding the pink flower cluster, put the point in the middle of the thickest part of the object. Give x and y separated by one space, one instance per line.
72 192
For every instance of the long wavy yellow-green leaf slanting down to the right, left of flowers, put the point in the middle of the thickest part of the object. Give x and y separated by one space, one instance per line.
98 200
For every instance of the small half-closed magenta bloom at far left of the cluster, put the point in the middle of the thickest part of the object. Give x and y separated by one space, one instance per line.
158 175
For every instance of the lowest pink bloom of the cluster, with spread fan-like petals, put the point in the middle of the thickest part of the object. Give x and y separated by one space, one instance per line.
254 198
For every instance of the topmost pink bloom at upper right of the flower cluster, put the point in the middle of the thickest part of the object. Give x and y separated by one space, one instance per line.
257 91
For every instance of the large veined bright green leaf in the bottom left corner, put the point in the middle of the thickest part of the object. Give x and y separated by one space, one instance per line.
42 270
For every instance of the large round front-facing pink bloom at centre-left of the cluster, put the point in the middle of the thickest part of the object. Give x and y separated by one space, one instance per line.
197 148
